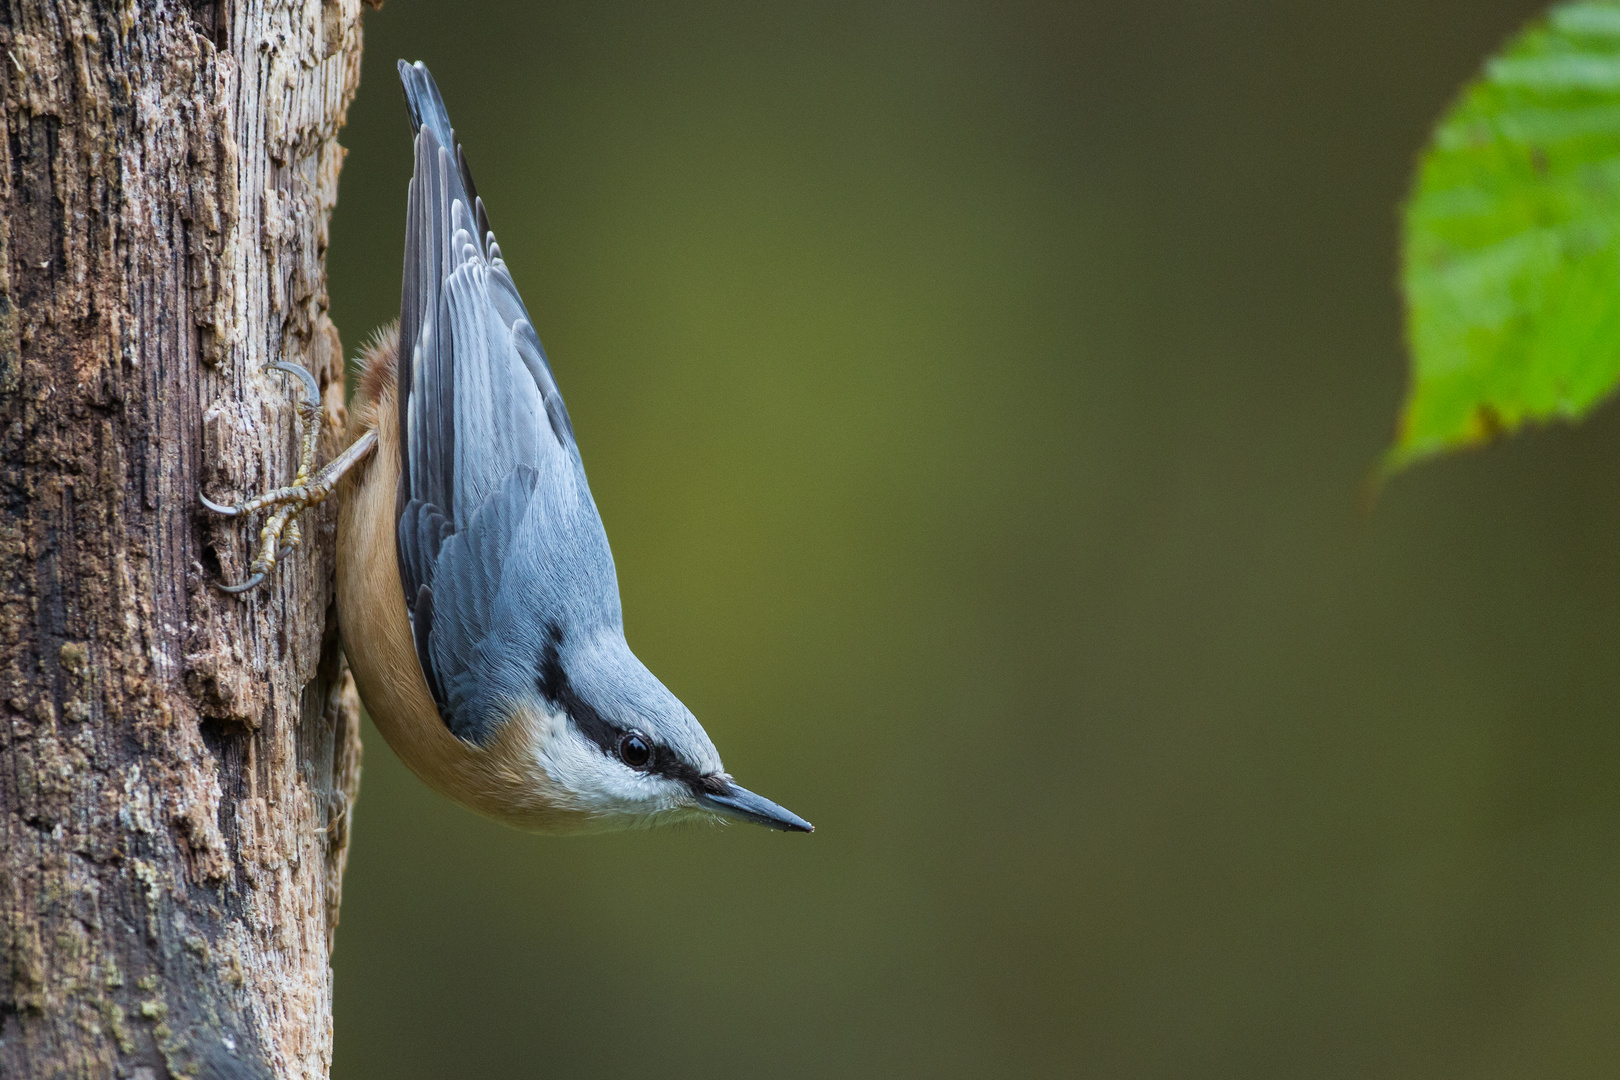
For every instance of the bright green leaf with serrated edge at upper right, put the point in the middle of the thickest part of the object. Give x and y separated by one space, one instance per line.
1512 242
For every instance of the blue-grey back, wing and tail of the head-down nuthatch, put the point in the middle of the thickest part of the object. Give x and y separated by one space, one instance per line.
497 532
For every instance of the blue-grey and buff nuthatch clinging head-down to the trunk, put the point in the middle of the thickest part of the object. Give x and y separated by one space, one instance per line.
475 589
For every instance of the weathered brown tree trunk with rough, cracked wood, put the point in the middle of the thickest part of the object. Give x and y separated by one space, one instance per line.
177 765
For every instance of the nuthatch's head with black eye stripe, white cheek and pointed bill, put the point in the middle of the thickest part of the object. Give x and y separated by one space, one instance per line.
621 750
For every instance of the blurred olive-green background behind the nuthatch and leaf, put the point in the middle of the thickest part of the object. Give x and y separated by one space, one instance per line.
978 398
